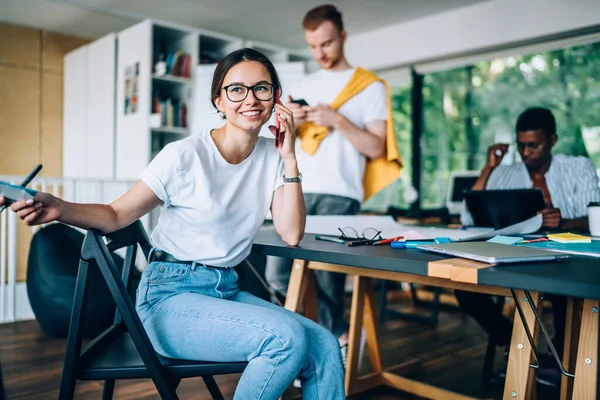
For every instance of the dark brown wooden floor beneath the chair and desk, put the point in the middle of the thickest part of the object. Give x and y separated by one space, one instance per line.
452 355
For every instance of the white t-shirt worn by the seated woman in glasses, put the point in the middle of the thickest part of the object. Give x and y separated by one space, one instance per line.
211 209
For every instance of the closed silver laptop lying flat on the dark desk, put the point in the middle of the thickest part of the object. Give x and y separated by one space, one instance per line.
493 253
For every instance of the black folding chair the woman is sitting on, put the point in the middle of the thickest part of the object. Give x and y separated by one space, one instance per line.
124 350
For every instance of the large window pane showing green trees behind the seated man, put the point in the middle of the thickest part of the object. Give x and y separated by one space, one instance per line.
465 110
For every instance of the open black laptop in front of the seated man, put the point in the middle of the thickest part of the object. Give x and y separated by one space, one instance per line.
502 208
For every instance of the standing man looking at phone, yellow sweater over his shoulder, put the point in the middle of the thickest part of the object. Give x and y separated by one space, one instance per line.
333 168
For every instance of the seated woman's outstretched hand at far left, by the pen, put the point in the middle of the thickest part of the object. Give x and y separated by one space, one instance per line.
42 209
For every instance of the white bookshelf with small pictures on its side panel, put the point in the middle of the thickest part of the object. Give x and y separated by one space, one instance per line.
147 43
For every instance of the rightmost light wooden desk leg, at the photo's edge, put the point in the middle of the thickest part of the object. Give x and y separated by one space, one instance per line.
586 368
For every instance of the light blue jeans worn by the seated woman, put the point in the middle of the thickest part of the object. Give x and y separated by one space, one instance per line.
194 312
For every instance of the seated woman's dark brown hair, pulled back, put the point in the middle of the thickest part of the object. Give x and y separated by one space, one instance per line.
234 58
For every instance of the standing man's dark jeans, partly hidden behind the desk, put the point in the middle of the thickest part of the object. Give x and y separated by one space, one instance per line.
330 285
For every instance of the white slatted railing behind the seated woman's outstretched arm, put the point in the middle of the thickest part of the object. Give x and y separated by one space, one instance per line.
76 190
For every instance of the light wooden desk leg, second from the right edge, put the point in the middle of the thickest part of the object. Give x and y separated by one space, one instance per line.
520 378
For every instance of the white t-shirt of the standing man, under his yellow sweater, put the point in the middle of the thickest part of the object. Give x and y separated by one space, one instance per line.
337 167
